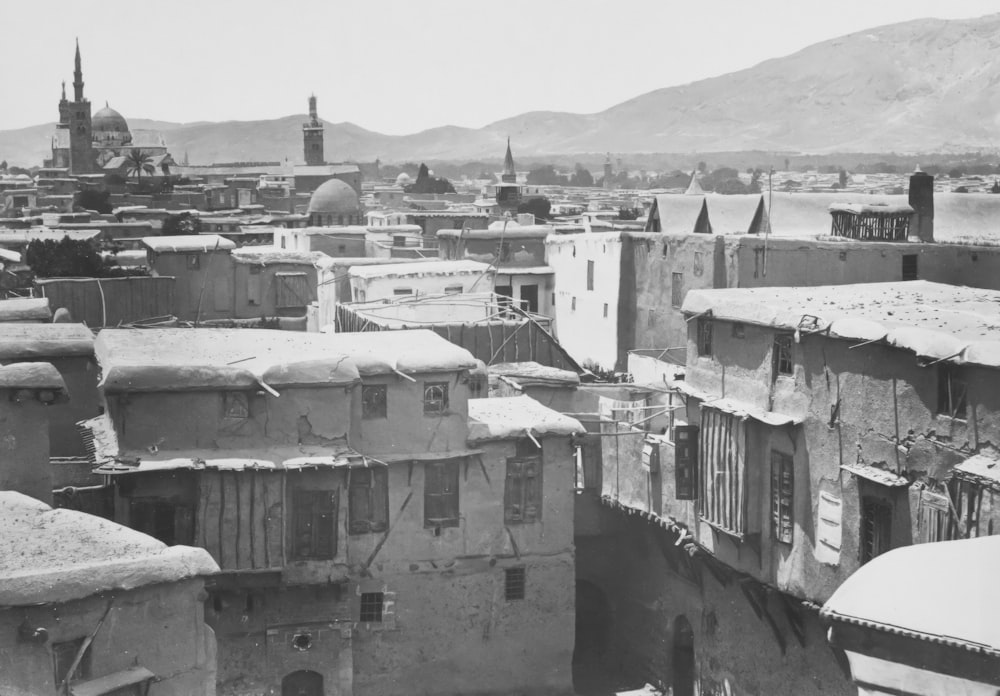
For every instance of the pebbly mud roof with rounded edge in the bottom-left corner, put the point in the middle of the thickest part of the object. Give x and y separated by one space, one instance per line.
55 555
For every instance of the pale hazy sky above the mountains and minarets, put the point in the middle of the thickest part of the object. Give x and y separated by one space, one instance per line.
400 67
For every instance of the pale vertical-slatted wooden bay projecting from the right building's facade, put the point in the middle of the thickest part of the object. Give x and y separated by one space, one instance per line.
722 470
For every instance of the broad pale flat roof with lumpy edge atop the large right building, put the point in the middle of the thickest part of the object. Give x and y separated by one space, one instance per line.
944 322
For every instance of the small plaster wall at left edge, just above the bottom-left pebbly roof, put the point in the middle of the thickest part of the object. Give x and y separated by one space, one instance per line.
24 445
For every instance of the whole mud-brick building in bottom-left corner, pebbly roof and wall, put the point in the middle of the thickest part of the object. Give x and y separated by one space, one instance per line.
90 607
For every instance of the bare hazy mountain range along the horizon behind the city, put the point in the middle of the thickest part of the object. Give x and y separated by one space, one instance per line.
921 86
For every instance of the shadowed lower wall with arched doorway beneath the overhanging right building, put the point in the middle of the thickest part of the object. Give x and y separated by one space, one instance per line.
649 585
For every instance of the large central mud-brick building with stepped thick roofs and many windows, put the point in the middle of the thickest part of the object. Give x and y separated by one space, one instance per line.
354 500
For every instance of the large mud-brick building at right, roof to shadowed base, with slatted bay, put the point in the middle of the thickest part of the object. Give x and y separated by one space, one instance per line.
813 430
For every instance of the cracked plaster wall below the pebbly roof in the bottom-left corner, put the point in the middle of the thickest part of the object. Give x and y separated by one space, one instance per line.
159 627
